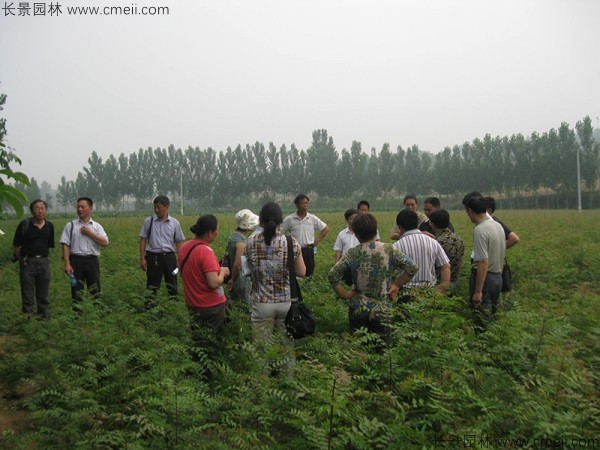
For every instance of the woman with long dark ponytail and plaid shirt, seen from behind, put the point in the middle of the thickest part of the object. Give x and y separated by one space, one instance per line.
267 254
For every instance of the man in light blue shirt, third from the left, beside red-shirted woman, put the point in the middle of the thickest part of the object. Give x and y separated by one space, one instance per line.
161 237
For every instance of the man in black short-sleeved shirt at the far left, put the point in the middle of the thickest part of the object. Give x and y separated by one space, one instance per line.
33 239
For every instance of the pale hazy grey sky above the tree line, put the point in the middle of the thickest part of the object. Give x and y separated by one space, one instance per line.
434 73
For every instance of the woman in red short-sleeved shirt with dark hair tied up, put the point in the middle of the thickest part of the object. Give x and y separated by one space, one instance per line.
203 276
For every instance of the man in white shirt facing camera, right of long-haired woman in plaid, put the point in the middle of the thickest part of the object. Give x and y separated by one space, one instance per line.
302 226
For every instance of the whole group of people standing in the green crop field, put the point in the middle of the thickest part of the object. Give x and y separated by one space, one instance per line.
368 274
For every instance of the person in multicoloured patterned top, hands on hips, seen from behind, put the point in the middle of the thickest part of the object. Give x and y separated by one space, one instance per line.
378 272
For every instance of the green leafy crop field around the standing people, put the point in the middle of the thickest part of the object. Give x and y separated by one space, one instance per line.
120 377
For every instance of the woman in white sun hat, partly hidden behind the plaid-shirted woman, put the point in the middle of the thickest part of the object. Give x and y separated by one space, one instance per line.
236 244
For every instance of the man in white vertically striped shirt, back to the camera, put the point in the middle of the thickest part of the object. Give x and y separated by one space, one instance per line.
426 252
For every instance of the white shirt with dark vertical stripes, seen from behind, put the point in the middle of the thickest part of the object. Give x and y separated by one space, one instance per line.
426 252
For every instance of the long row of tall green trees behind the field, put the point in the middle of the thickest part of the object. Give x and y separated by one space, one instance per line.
535 167
